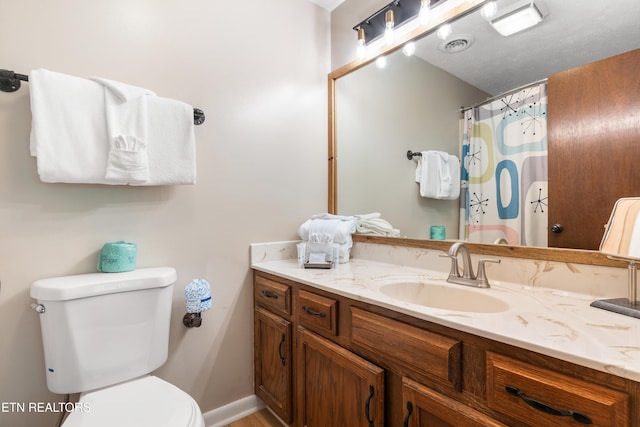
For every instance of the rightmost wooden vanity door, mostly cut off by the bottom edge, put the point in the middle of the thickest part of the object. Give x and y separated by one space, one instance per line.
424 407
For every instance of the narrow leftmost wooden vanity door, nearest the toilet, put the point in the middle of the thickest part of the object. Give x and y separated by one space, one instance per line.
273 367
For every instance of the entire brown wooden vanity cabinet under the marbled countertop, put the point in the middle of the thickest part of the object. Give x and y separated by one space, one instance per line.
357 364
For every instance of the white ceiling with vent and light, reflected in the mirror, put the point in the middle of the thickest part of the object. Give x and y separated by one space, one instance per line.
575 32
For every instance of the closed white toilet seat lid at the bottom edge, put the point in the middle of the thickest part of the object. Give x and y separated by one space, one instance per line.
148 401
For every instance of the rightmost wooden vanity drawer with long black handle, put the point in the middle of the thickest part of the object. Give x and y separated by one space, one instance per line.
539 396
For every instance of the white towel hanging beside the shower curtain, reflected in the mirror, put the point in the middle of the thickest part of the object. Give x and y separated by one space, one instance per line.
438 174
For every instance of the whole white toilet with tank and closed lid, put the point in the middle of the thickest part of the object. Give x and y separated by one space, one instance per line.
103 336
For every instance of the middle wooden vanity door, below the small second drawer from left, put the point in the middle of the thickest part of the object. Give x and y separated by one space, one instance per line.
337 387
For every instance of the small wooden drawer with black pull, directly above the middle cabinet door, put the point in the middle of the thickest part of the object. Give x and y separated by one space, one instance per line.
317 313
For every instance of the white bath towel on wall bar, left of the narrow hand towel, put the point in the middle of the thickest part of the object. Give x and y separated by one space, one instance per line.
68 128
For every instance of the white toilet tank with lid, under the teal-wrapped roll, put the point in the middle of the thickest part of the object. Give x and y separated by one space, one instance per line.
103 328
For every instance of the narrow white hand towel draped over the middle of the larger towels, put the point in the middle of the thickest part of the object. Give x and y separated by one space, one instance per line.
127 118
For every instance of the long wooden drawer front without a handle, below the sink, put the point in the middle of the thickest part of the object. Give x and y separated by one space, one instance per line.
430 354
